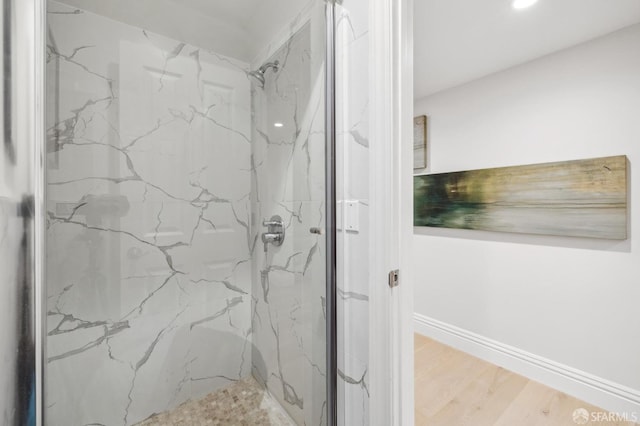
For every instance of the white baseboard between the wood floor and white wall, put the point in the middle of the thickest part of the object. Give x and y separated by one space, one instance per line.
594 390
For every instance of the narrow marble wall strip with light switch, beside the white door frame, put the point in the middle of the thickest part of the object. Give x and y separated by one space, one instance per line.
352 128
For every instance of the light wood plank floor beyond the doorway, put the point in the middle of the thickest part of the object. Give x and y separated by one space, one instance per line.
455 389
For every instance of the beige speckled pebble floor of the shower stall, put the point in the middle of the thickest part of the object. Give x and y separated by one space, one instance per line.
242 403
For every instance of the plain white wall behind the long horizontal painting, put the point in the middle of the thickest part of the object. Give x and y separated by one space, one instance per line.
573 301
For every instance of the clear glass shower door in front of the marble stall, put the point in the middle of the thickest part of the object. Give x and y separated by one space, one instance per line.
169 142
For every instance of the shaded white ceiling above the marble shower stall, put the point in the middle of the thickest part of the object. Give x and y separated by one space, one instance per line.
235 28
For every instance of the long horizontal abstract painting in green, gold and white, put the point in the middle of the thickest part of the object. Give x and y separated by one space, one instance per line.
583 198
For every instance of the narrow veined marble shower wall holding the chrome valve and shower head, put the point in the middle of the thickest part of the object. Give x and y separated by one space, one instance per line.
288 161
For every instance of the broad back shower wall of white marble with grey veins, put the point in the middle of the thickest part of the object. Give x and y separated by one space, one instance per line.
149 243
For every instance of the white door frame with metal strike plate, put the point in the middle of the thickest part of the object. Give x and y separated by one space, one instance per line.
391 192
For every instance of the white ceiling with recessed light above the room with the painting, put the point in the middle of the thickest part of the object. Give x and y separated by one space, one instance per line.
456 41
